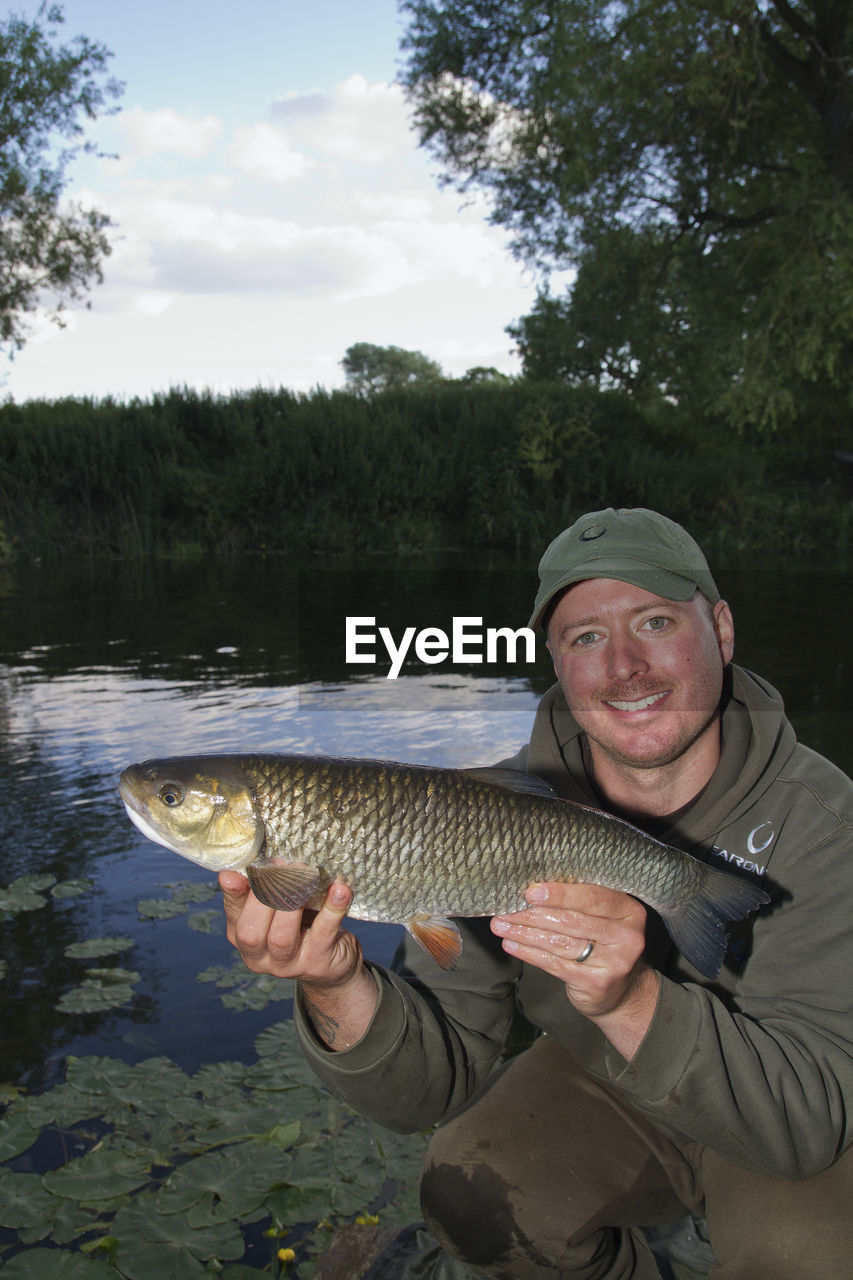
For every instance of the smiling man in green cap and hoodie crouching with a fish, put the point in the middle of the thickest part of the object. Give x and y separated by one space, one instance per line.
655 1092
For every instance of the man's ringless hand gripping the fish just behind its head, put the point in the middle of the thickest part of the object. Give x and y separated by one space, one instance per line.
340 993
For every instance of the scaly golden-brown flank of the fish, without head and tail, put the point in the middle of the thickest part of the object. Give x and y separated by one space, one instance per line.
471 843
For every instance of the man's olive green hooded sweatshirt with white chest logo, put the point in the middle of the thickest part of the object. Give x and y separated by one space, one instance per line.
758 1063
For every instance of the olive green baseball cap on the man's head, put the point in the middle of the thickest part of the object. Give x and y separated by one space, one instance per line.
631 545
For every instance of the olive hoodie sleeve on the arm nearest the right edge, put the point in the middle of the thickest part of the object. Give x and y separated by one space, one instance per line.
764 1075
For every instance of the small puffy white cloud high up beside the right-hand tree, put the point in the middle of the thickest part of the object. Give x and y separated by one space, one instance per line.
355 121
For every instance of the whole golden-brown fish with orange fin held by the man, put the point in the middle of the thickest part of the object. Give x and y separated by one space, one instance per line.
421 845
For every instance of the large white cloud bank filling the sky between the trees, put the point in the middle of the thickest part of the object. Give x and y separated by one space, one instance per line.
217 281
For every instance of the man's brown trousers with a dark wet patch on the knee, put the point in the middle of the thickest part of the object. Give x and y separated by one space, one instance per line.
546 1174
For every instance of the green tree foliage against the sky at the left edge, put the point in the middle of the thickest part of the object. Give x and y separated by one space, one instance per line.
51 250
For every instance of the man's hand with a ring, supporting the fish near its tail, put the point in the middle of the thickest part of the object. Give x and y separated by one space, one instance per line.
614 986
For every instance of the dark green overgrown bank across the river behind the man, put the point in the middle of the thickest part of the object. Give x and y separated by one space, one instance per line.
450 465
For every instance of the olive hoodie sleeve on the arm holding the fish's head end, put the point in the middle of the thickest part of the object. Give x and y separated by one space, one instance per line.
434 1039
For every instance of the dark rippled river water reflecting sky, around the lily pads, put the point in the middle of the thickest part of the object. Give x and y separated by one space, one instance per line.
104 665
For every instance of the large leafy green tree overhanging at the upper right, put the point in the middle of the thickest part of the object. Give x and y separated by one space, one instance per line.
690 161
